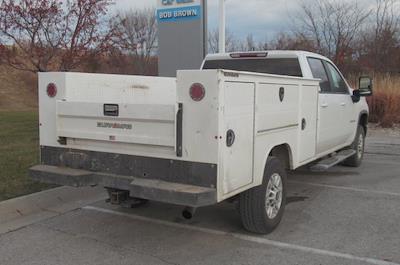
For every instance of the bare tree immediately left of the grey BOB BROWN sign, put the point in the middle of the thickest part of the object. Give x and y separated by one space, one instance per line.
137 35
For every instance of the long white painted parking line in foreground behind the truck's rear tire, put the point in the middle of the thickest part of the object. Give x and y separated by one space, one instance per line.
254 239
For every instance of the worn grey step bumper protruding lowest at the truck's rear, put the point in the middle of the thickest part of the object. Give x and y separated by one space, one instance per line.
151 189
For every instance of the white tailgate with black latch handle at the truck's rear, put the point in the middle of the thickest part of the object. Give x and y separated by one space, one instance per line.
144 124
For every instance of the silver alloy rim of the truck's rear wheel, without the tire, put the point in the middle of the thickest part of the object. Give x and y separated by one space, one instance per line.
273 200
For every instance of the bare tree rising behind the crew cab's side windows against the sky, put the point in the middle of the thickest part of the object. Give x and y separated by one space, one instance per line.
333 24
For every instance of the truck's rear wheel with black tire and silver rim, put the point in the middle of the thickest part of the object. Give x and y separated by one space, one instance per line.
261 208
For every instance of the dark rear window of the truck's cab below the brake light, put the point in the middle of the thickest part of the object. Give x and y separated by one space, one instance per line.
276 66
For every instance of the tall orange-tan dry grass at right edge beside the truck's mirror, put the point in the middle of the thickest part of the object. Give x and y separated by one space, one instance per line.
385 103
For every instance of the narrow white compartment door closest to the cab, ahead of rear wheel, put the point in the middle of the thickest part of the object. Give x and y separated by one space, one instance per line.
308 122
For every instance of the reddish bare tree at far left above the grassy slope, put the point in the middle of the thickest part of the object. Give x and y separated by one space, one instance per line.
48 34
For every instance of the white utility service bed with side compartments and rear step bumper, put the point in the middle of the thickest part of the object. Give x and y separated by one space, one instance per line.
148 136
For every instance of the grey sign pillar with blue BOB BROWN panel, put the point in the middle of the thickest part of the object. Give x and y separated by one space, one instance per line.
182 41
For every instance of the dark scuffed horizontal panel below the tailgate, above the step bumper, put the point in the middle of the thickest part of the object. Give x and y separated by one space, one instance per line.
176 171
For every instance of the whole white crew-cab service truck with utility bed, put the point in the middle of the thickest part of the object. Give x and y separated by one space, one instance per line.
228 131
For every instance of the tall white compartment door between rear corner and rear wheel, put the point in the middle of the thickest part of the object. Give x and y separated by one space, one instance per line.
239 119
